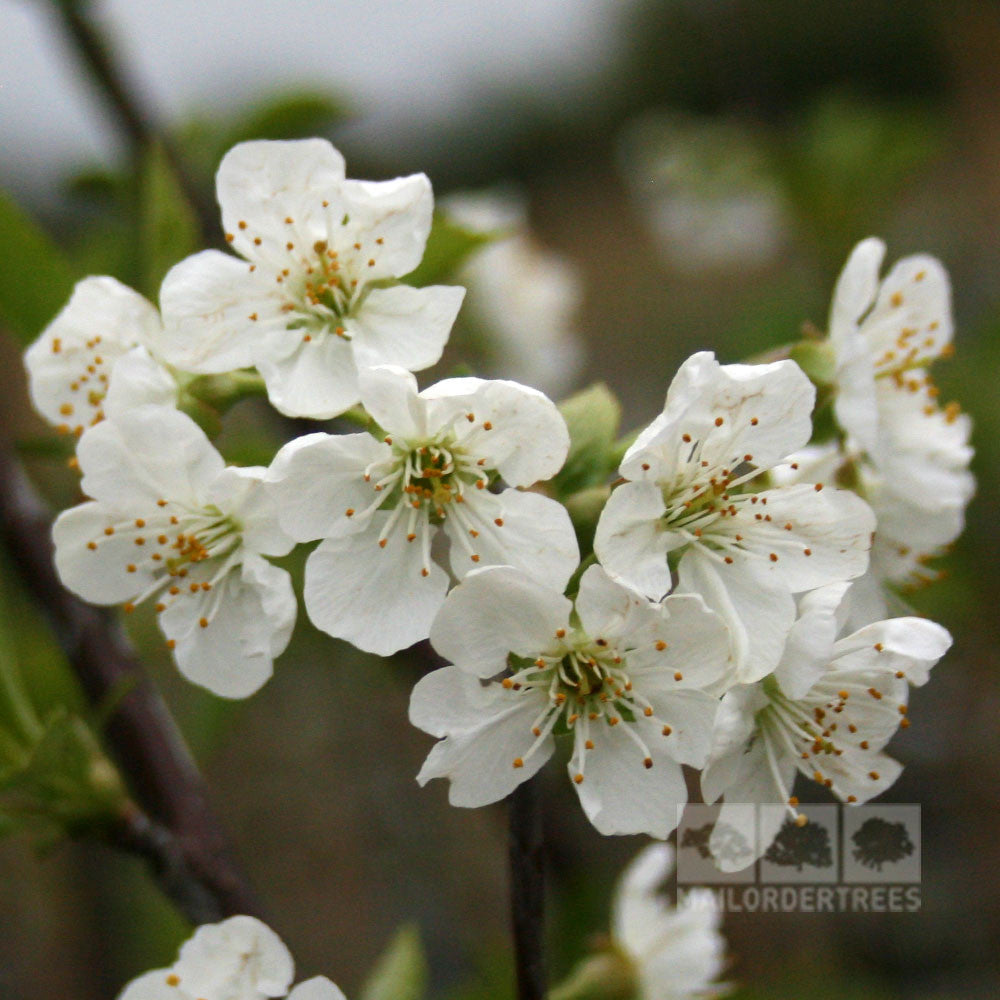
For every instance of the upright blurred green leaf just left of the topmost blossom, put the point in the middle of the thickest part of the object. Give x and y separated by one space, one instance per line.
168 228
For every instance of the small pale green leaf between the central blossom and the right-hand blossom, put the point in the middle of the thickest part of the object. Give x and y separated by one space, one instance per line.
592 416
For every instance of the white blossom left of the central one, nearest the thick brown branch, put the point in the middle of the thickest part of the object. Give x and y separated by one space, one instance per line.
170 522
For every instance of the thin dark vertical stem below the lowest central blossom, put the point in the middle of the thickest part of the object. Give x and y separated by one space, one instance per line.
527 890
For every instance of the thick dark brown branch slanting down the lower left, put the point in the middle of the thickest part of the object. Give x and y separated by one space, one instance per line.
181 835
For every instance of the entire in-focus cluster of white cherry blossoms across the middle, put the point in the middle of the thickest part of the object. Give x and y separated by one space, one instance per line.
732 615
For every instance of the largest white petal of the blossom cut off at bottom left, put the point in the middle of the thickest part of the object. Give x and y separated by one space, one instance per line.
238 959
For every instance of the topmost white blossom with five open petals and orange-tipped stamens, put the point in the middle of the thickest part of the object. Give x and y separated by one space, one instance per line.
314 297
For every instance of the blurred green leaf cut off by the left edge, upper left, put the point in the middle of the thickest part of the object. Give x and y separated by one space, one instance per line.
36 278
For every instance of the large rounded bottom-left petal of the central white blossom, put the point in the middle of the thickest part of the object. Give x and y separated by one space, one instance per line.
374 597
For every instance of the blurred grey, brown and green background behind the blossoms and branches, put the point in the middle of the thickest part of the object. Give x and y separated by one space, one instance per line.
706 166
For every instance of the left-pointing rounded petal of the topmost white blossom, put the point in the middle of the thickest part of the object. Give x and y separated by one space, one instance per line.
207 302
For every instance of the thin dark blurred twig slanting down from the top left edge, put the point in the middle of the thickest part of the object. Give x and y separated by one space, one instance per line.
134 120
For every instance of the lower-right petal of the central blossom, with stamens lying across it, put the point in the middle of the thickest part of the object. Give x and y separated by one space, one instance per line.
531 532
